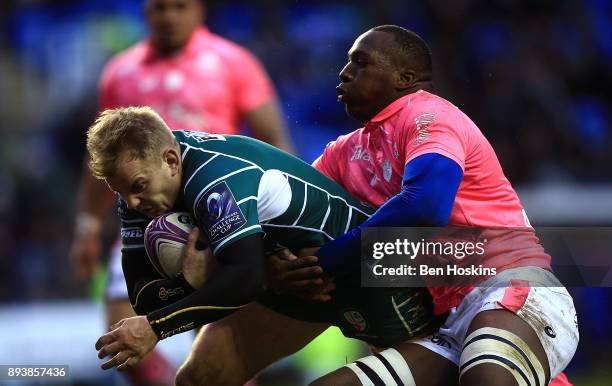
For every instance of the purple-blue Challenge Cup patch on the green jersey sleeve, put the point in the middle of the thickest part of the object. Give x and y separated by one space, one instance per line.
223 215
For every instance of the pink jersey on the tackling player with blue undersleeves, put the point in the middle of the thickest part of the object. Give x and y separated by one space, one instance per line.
370 163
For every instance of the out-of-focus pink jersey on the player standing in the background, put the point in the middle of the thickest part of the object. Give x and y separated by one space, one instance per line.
209 85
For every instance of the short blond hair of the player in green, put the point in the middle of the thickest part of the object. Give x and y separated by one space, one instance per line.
139 131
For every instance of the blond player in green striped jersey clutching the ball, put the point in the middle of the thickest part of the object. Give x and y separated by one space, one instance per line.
250 199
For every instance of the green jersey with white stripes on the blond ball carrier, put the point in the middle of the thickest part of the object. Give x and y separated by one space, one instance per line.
236 186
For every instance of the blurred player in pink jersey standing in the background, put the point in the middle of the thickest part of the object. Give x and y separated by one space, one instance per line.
195 80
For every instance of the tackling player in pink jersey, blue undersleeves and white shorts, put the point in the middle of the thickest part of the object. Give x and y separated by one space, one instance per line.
425 163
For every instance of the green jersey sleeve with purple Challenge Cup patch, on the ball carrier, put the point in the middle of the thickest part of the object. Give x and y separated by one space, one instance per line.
224 199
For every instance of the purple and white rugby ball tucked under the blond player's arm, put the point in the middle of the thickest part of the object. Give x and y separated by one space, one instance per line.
165 238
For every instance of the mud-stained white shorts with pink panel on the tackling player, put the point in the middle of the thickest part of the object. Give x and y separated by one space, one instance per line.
540 300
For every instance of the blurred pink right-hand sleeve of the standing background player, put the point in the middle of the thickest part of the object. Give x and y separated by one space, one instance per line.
253 86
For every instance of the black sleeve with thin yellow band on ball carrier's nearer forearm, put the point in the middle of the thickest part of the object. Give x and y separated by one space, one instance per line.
238 281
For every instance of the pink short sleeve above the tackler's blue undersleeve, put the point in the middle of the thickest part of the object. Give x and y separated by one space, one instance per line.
434 133
